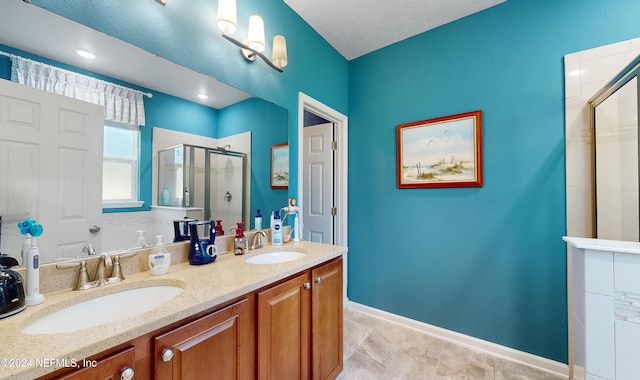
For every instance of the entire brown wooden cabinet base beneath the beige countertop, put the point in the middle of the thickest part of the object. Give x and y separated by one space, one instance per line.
291 330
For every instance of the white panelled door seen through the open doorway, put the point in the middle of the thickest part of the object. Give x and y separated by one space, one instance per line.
318 172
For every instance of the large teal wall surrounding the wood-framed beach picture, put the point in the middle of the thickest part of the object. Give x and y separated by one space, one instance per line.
489 261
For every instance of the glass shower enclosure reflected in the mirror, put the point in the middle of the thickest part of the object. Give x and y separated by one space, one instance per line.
210 179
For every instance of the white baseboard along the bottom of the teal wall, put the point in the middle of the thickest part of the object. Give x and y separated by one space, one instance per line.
530 360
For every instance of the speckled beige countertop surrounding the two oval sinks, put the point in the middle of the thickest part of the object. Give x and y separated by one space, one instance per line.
25 356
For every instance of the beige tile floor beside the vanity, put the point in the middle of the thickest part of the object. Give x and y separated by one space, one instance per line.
377 349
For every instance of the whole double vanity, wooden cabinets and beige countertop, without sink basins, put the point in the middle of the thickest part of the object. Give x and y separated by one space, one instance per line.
233 320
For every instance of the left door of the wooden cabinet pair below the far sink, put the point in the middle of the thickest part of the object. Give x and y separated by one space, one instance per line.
283 330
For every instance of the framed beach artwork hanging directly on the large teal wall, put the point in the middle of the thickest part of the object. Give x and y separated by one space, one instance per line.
441 152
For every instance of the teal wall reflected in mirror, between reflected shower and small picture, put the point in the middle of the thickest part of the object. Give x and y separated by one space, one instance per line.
268 126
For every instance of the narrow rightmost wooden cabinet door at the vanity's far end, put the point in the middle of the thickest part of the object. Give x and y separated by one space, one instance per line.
326 321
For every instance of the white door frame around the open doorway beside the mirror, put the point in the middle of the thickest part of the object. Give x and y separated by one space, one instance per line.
340 121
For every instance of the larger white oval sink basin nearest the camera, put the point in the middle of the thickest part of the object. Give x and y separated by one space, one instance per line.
100 310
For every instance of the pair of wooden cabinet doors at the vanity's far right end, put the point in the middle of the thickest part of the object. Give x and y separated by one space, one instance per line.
300 326
